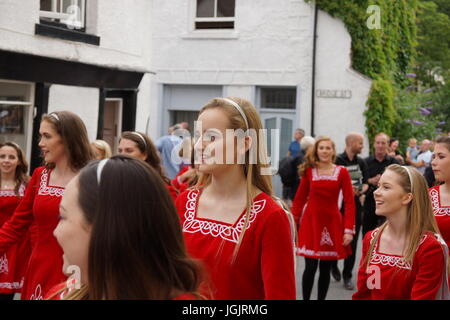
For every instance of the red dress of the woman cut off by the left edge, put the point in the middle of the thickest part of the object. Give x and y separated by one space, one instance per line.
14 261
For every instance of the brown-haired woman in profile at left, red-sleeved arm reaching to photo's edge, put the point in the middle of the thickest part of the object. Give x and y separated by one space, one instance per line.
65 147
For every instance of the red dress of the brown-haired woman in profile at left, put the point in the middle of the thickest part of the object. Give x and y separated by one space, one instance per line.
40 205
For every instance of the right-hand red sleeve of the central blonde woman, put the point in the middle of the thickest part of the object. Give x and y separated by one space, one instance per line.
277 258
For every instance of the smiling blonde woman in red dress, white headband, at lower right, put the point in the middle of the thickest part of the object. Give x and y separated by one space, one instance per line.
405 258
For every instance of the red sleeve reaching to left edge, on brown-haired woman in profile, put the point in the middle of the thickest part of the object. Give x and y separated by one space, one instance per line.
19 223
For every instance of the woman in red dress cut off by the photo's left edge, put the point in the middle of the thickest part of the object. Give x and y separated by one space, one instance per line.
13 180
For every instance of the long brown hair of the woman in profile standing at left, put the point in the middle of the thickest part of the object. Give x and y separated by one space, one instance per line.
74 137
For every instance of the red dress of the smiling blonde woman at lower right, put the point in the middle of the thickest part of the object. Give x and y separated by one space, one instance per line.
389 277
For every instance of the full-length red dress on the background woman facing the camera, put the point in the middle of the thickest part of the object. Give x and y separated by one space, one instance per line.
316 209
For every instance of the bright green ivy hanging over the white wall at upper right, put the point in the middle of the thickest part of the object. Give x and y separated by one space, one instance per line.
385 54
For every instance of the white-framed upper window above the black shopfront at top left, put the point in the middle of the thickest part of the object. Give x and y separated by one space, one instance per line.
70 13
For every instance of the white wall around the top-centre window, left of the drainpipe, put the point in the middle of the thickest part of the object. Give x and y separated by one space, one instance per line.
270 46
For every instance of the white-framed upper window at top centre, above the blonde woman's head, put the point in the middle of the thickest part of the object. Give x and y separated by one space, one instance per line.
215 14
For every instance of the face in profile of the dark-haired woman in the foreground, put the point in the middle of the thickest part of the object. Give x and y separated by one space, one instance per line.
73 233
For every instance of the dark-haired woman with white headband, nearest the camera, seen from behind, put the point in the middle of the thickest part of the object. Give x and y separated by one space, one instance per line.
120 228
